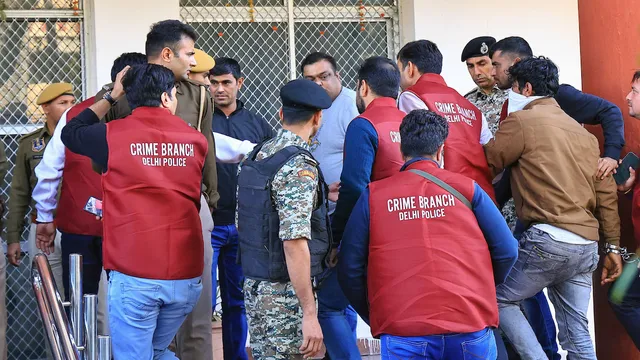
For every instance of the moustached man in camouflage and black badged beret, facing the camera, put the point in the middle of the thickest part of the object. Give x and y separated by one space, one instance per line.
486 96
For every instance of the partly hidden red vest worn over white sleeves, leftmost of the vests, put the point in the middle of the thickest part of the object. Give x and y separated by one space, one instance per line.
79 183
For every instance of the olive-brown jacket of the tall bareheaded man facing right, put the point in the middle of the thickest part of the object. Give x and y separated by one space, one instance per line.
188 93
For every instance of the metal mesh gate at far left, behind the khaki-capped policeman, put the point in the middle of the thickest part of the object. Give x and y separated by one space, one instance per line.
41 41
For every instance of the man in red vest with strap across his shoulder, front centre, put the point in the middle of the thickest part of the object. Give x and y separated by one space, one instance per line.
421 252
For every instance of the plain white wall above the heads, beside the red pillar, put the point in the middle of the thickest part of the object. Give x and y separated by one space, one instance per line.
550 27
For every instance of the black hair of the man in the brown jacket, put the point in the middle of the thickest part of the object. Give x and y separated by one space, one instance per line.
538 71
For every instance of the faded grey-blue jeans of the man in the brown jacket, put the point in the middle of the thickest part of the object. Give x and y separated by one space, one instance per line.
566 271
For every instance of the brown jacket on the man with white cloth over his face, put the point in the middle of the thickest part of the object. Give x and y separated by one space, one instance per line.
553 162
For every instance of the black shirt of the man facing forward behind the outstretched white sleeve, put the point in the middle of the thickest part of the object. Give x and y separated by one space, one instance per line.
242 124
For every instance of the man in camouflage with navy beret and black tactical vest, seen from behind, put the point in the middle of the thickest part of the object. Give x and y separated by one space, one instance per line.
281 310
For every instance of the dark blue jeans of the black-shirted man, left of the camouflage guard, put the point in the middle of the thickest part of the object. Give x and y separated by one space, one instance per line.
224 240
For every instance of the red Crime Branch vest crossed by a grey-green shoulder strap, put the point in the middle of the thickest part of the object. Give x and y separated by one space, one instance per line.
429 266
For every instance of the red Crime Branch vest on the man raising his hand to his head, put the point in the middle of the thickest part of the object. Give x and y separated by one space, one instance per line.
151 191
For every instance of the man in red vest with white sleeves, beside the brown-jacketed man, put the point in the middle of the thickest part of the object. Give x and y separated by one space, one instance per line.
420 64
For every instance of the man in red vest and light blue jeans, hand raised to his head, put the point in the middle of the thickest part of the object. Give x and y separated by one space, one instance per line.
151 191
